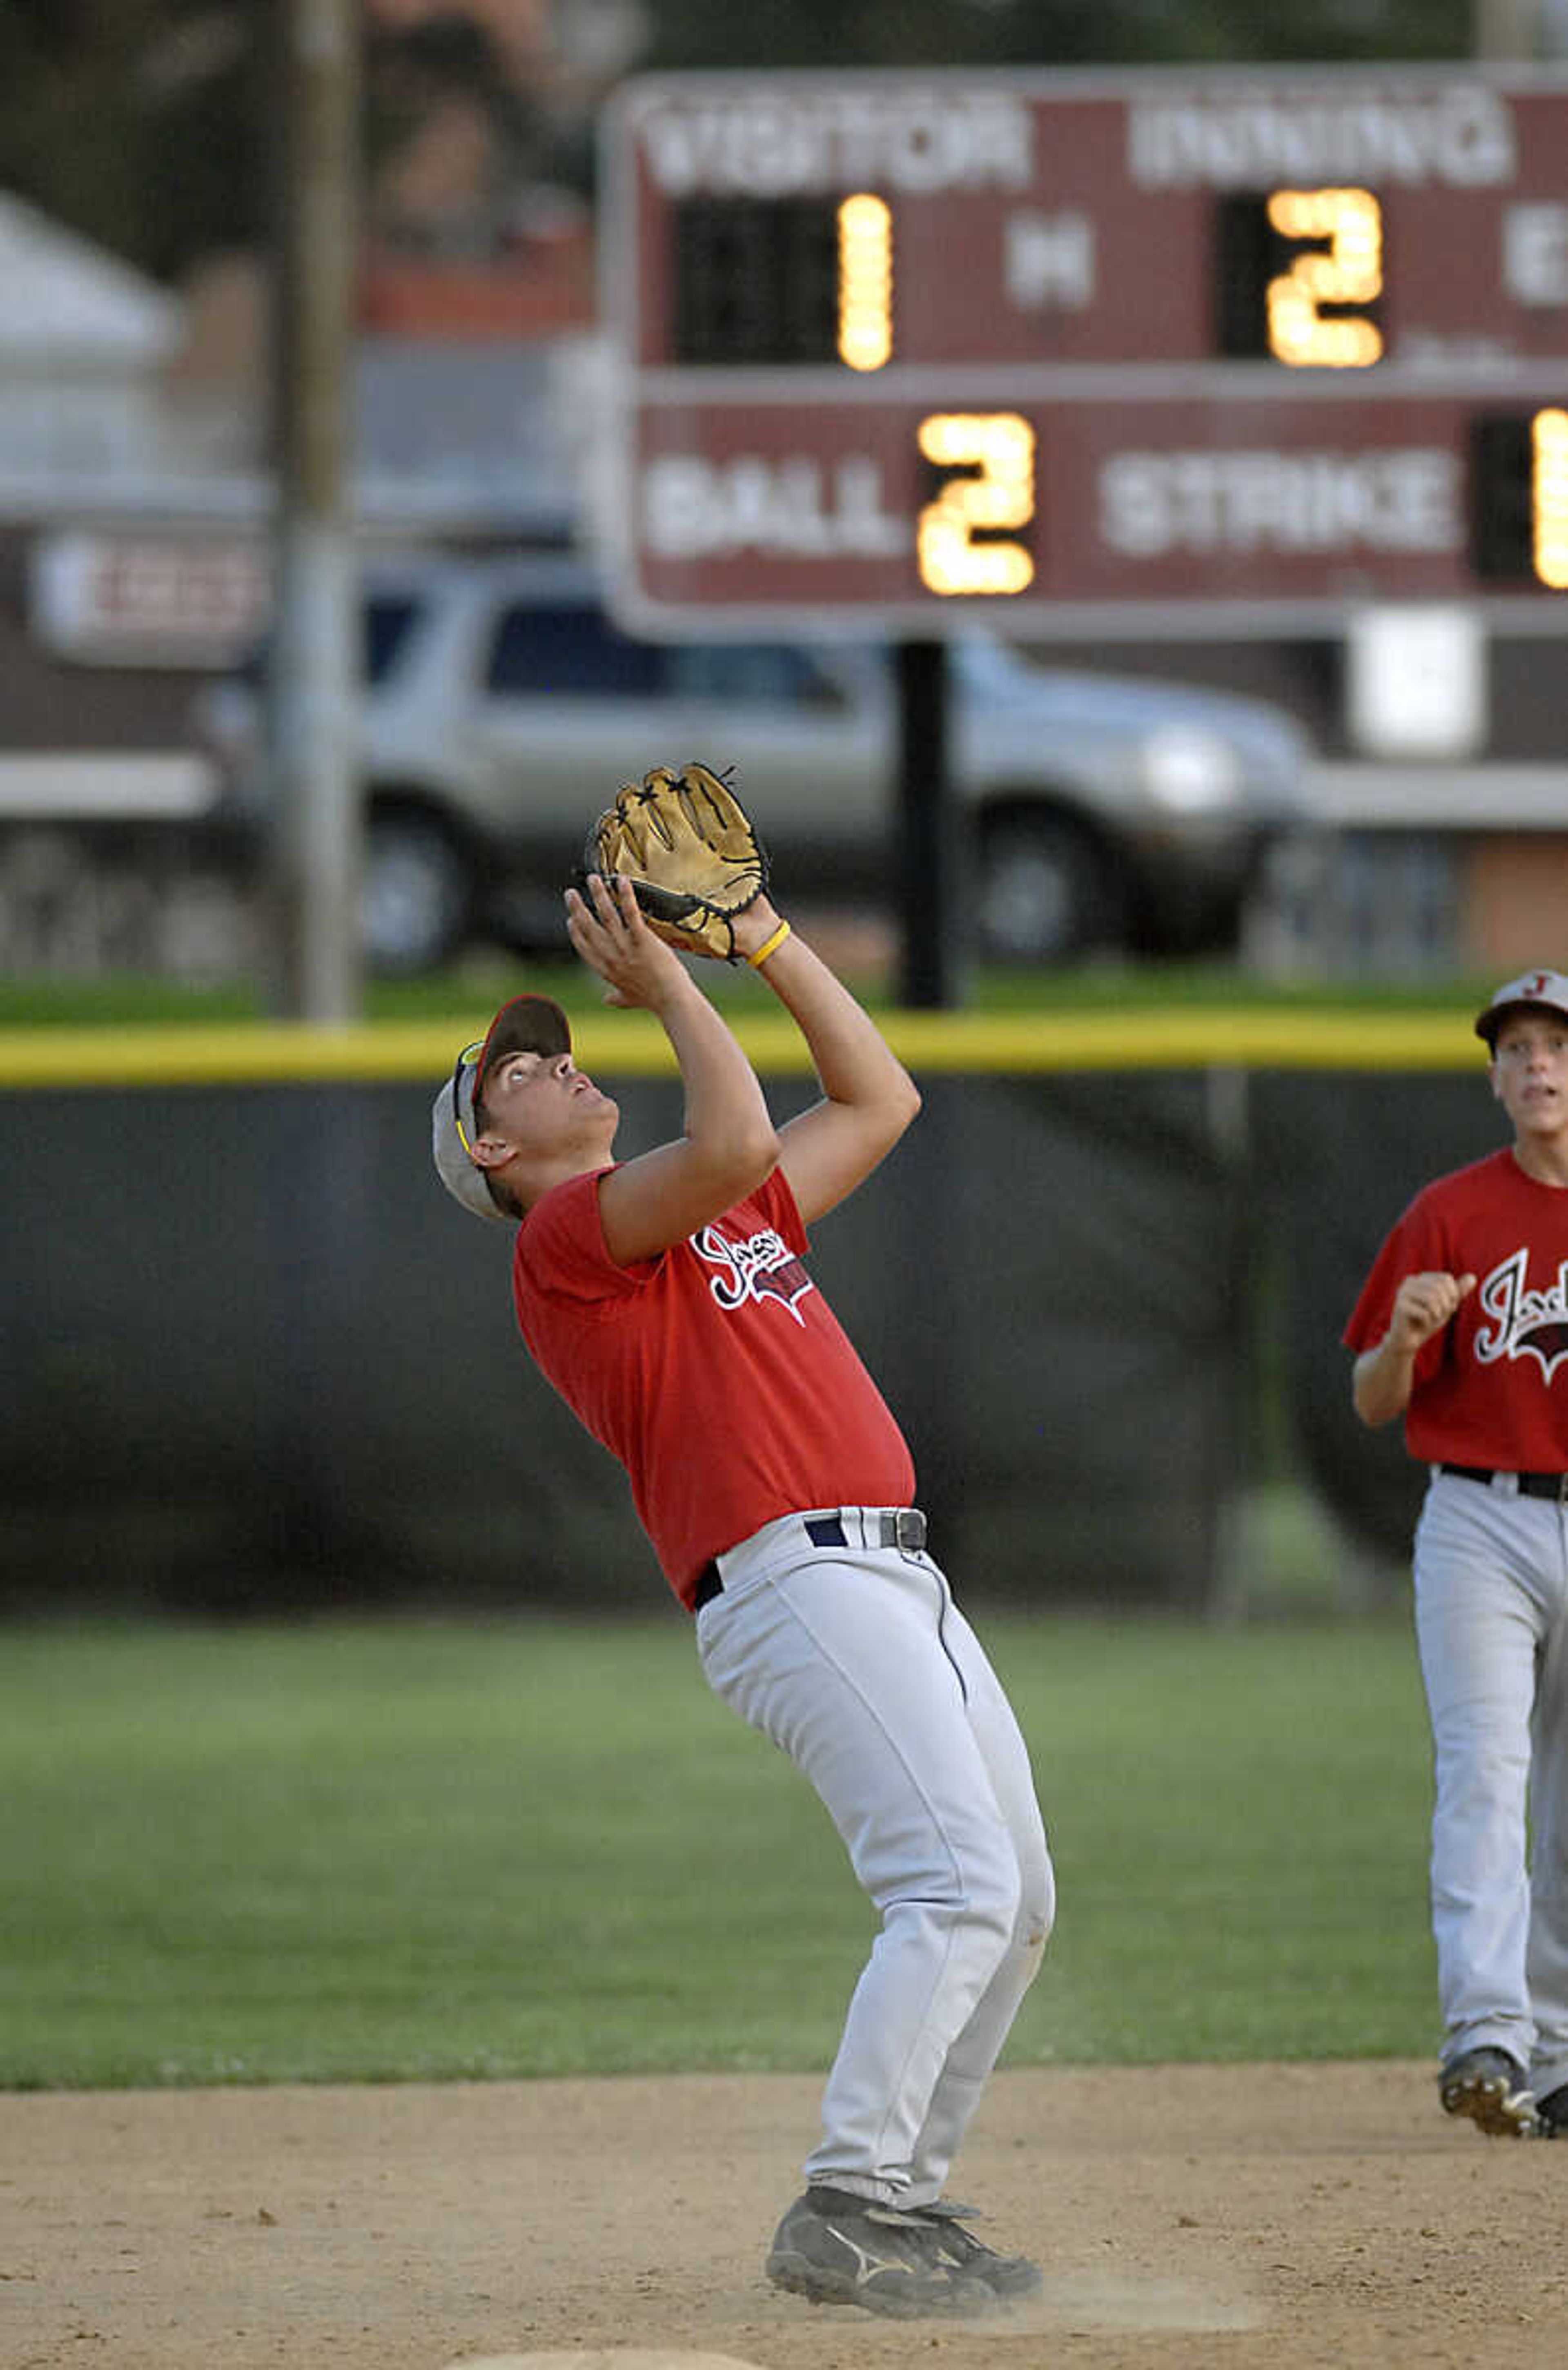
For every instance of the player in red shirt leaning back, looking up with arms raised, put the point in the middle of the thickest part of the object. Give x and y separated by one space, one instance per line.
669 1302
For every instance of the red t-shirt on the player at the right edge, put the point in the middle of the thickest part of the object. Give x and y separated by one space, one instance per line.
1491 1388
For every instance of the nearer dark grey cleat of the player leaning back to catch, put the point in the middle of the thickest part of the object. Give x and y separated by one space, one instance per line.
835 2248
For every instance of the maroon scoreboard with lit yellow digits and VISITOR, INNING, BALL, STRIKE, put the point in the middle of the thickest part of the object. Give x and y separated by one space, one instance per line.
1088 354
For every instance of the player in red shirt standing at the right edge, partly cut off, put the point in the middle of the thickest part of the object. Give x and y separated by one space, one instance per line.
1463 1328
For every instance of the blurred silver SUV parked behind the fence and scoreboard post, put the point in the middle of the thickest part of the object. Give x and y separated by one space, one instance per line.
503 710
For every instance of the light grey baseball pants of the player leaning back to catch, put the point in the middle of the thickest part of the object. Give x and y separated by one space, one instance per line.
861 1667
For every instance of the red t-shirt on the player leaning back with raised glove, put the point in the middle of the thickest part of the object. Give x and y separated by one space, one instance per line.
716 1371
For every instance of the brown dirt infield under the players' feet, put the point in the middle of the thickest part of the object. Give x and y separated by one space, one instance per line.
1188 2220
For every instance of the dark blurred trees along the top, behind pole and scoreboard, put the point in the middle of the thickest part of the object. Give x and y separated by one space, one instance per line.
150 124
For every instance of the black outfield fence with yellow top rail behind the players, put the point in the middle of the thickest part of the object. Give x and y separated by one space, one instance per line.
259 1362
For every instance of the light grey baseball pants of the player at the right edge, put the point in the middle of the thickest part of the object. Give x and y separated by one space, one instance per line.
1491 1577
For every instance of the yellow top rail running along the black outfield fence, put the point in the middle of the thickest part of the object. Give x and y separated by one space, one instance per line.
631 1046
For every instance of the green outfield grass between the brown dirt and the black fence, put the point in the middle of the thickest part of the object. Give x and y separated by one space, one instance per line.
508 1850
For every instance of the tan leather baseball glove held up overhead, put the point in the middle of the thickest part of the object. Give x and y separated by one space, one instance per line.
690 852
